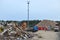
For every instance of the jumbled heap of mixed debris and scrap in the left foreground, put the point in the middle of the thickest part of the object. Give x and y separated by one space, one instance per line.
14 32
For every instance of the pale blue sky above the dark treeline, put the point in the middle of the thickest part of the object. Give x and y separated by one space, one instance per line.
38 10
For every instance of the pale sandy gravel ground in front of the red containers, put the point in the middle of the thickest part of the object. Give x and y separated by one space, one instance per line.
48 35
